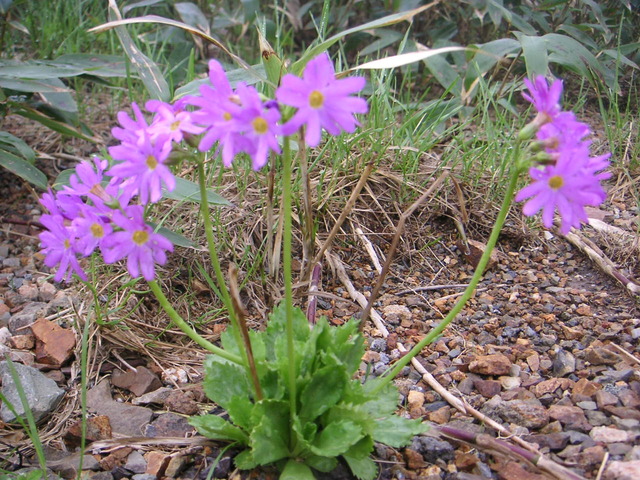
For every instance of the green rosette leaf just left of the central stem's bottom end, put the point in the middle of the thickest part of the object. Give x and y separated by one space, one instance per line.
270 438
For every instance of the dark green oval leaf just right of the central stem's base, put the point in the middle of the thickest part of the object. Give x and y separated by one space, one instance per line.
324 390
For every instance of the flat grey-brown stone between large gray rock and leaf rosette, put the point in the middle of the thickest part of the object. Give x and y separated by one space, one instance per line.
126 420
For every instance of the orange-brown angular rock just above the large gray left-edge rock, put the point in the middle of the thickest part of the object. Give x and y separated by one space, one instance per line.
54 344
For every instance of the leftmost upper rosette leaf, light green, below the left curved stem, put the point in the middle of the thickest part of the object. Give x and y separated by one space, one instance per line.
224 381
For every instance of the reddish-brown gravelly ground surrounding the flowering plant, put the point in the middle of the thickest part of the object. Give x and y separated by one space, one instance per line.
548 348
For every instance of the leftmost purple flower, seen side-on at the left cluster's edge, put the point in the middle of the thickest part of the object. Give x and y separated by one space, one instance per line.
58 246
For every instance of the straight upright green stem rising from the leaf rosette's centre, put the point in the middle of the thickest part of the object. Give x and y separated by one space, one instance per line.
286 265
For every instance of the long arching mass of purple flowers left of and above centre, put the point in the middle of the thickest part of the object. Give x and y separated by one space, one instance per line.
102 208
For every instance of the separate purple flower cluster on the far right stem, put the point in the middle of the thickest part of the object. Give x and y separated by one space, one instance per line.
568 178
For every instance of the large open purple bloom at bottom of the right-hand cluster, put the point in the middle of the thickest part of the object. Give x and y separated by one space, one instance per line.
566 186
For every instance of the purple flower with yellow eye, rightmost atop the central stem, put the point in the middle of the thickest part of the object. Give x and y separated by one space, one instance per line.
322 100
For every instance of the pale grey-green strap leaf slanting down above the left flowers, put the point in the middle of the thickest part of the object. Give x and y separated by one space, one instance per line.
149 72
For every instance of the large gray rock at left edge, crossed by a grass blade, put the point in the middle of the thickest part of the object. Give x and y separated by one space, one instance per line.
42 393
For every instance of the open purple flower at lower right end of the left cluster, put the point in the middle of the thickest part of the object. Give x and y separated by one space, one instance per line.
137 242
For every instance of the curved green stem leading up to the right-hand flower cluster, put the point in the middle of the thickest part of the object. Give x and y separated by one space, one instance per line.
390 374
